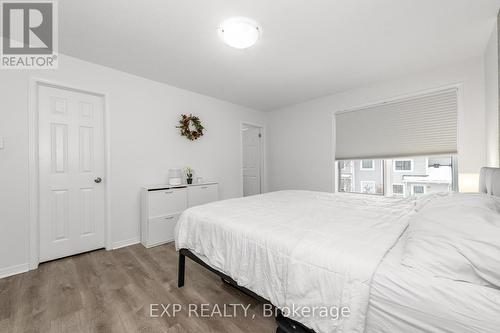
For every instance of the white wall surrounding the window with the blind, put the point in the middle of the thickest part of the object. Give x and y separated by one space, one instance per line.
301 150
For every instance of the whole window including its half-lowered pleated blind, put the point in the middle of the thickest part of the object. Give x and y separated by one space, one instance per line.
381 130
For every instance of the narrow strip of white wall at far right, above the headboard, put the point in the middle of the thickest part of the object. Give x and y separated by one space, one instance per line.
491 89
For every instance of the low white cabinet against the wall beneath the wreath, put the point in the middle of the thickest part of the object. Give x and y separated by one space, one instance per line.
162 205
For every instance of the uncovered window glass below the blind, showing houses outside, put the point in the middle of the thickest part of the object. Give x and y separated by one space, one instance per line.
400 177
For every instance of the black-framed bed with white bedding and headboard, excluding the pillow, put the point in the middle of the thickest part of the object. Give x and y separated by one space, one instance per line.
313 250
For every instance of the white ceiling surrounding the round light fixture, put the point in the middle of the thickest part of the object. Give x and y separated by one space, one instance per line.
309 48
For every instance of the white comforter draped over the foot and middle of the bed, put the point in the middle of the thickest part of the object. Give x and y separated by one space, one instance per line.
299 248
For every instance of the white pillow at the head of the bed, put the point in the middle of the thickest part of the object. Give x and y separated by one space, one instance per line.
456 236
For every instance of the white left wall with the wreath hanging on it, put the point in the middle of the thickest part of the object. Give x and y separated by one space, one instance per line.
144 144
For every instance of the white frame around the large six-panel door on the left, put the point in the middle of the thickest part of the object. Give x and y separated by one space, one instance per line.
33 167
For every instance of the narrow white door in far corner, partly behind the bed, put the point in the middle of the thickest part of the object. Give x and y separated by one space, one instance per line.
251 160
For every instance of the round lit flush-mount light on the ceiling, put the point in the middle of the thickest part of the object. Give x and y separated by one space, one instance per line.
239 32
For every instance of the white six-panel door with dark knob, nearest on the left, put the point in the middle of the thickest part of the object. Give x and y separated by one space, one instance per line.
71 172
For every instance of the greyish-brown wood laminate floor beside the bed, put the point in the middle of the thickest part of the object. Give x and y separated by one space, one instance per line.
111 291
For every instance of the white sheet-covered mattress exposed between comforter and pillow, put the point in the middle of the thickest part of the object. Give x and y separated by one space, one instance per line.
407 300
